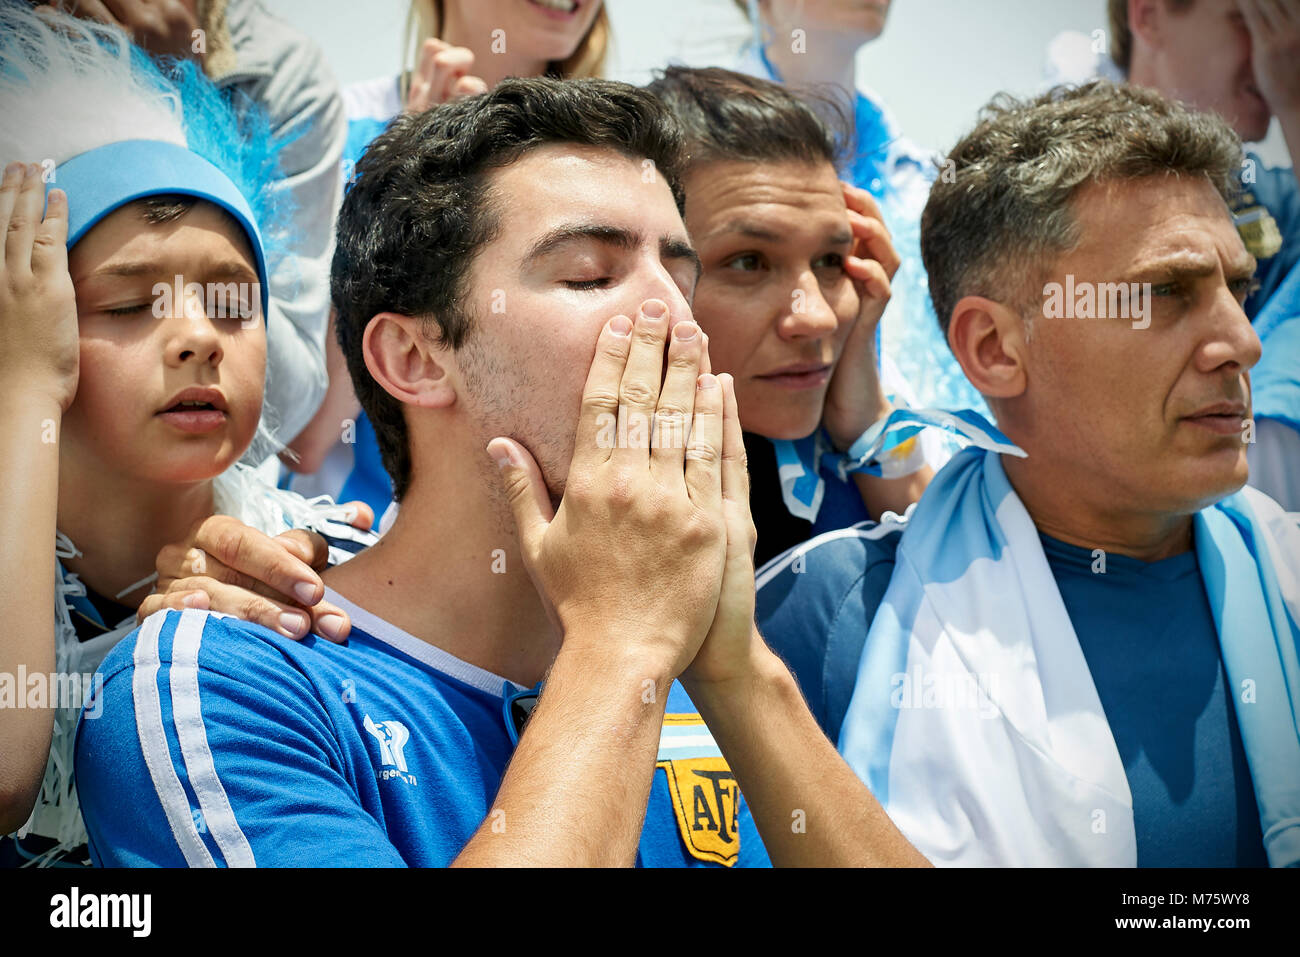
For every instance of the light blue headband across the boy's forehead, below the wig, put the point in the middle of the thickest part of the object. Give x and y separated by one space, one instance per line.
103 180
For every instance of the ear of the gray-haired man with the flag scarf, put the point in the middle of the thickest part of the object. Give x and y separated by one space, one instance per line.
989 341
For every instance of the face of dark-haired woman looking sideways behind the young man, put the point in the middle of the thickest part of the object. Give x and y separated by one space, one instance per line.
774 298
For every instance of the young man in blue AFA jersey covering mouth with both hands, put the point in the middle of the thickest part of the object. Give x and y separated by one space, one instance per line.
483 252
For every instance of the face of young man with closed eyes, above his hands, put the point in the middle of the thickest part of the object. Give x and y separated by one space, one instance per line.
586 235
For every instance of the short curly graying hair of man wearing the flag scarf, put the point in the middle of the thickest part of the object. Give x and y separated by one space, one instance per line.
1000 213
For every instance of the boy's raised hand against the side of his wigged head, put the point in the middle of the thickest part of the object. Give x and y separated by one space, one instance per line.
40 348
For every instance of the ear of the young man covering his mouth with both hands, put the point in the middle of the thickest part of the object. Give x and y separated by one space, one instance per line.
408 365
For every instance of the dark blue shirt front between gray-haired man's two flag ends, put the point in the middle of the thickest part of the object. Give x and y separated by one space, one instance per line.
1149 636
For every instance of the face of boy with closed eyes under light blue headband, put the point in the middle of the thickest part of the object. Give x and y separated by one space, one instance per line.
146 350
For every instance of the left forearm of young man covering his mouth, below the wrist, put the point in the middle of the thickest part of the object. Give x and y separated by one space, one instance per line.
577 791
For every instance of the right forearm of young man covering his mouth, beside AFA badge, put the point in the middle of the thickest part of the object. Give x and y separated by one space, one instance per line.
809 807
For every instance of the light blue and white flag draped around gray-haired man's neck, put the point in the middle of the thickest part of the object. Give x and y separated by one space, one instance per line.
976 721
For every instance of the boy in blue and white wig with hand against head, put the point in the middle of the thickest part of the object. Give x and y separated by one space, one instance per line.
133 349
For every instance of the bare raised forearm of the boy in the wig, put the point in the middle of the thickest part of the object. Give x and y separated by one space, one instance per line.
29 447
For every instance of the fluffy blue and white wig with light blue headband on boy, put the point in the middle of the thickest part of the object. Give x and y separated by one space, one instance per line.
72 88
